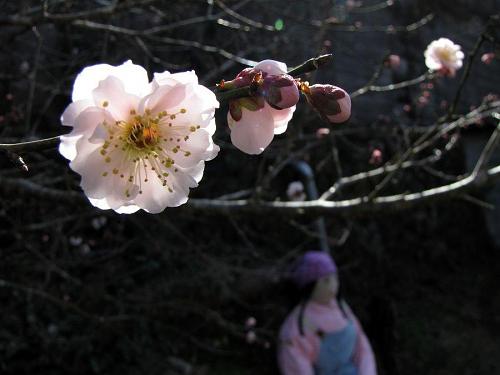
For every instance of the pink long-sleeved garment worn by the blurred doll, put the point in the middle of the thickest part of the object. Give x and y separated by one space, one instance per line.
297 353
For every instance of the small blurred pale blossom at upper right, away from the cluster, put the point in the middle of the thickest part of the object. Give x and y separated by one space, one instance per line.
444 56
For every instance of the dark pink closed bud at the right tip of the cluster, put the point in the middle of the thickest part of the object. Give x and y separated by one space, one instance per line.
331 102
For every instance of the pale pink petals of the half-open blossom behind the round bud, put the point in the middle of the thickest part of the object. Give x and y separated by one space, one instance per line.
255 129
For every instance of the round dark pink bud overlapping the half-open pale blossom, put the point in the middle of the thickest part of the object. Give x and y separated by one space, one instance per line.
280 91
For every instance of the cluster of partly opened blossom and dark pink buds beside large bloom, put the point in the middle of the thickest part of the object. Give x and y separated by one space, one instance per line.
273 96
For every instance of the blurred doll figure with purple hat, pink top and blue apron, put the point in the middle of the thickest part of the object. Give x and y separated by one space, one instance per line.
321 336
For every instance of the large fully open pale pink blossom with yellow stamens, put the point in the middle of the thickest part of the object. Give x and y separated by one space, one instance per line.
138 144
